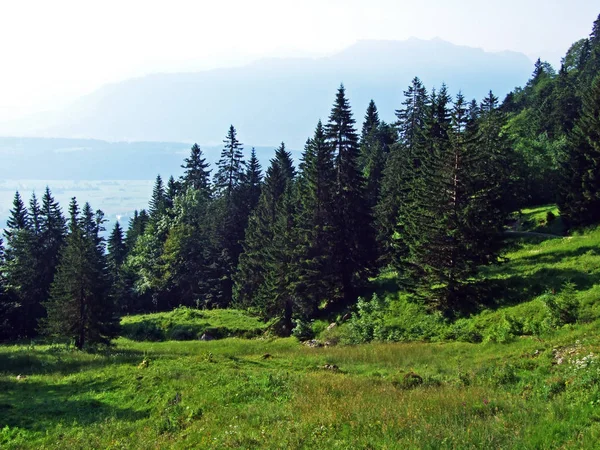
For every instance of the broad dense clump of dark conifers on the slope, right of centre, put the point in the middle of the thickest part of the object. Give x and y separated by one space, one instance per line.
458 203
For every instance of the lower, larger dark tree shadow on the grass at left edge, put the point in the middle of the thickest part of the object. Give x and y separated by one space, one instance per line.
38 406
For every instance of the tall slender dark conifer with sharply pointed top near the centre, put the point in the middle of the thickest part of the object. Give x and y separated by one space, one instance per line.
354 246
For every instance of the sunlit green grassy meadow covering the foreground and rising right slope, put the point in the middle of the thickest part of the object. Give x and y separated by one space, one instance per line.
539 391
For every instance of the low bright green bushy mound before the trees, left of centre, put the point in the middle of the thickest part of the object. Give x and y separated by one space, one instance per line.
184 324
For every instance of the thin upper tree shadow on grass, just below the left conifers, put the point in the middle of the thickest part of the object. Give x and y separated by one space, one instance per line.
60 360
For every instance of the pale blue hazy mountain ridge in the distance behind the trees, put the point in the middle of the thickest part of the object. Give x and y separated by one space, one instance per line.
277 99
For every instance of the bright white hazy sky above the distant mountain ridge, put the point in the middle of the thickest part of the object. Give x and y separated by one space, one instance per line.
54 51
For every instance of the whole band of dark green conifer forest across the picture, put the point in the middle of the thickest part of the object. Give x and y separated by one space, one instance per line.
428 196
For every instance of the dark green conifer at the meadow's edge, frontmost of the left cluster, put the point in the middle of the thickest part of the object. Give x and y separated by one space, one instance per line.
79 308
